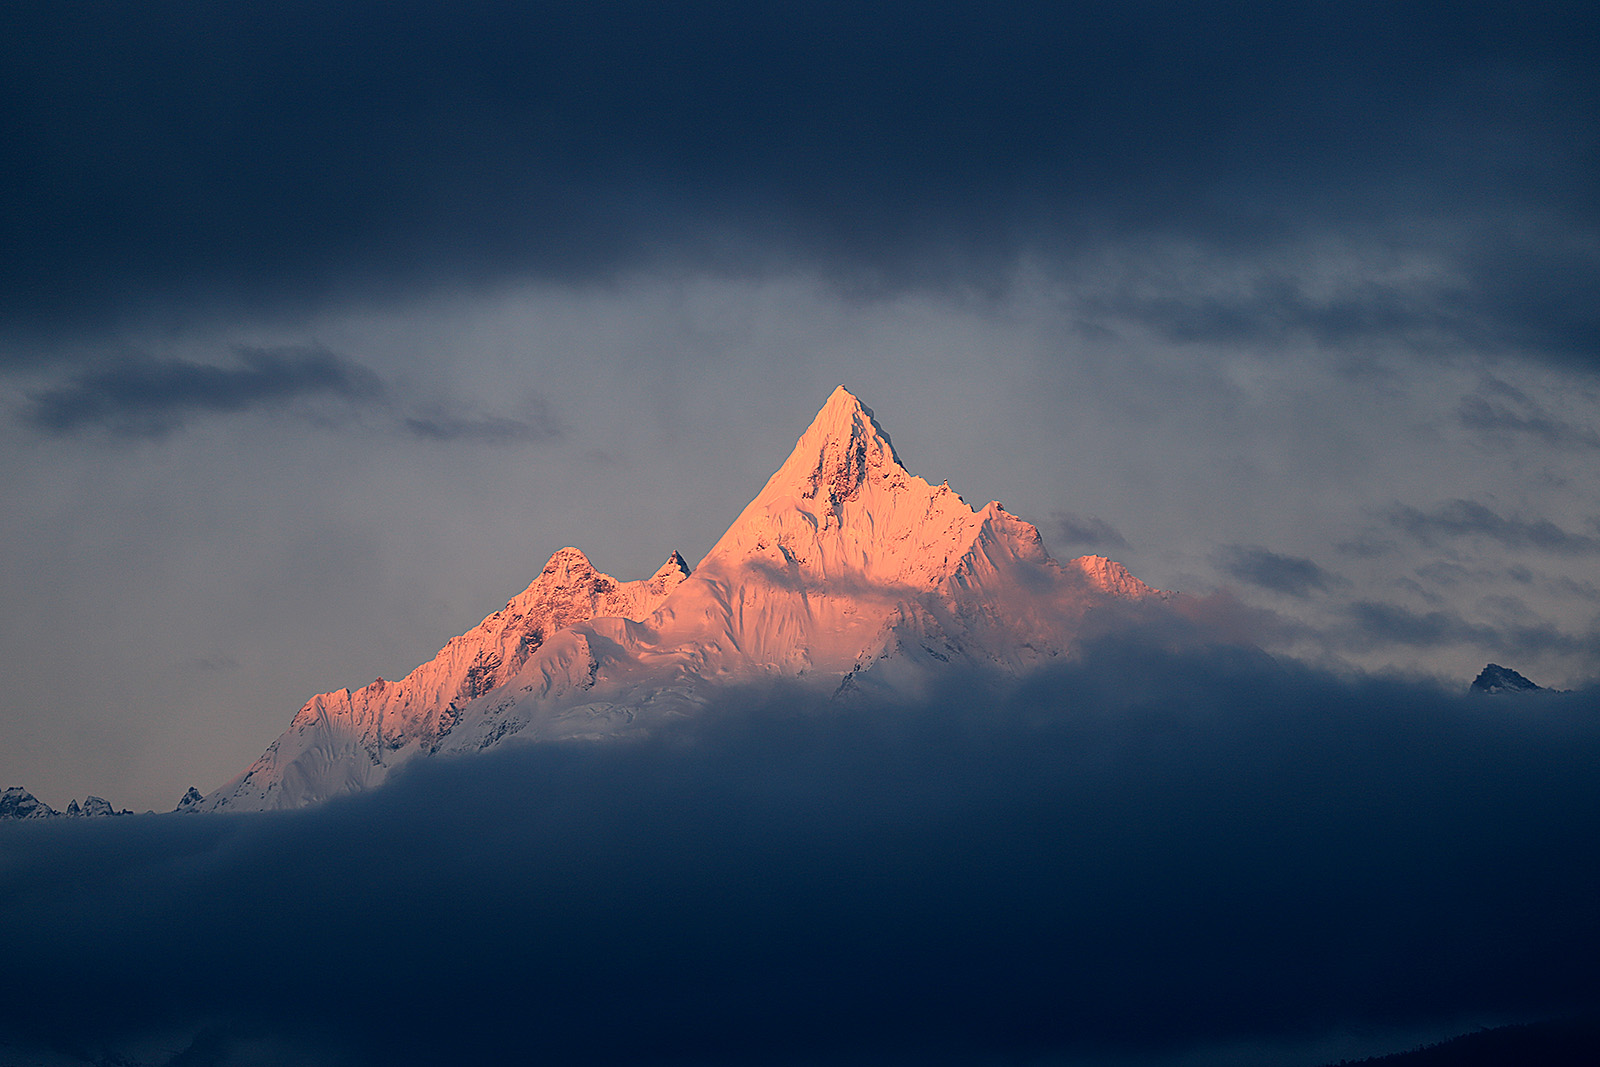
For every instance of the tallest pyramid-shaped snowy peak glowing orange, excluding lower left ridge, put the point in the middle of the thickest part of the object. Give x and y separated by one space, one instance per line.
846 559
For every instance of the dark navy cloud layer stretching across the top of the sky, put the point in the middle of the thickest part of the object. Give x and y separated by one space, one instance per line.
183 153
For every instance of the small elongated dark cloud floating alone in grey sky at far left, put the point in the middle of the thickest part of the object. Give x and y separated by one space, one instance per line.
146 398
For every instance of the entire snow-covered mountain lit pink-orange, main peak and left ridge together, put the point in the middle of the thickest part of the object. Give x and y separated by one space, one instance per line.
847 573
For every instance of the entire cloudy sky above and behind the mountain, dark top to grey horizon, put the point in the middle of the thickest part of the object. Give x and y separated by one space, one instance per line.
322 327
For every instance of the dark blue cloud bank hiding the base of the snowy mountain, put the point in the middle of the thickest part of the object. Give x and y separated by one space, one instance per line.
1140 853
